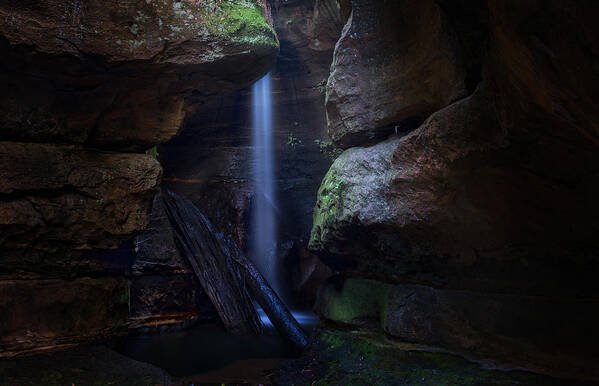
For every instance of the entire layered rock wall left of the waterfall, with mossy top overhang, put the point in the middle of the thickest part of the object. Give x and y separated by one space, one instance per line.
89 86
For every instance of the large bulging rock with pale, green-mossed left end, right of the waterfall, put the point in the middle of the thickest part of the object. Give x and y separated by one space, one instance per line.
478 187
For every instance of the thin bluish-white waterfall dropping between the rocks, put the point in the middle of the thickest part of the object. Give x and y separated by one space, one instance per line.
263 240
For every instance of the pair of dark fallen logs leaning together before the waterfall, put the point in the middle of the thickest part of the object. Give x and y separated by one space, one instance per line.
199 238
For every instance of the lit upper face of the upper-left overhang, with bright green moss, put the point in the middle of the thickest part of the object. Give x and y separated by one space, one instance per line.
188 32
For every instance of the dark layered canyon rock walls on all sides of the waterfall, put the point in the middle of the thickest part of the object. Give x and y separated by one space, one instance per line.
460 214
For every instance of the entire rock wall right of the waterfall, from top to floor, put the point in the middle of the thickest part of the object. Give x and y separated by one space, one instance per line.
481 218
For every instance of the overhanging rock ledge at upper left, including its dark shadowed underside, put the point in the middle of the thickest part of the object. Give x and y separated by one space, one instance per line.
119 76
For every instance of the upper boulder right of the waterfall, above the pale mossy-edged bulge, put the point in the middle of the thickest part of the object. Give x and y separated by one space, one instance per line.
396 63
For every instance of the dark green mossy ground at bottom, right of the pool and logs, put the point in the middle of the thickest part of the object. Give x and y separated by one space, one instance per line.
357 358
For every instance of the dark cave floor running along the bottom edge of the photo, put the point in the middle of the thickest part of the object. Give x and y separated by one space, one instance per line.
334 358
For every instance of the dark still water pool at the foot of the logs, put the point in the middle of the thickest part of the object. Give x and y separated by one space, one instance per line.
206 348
